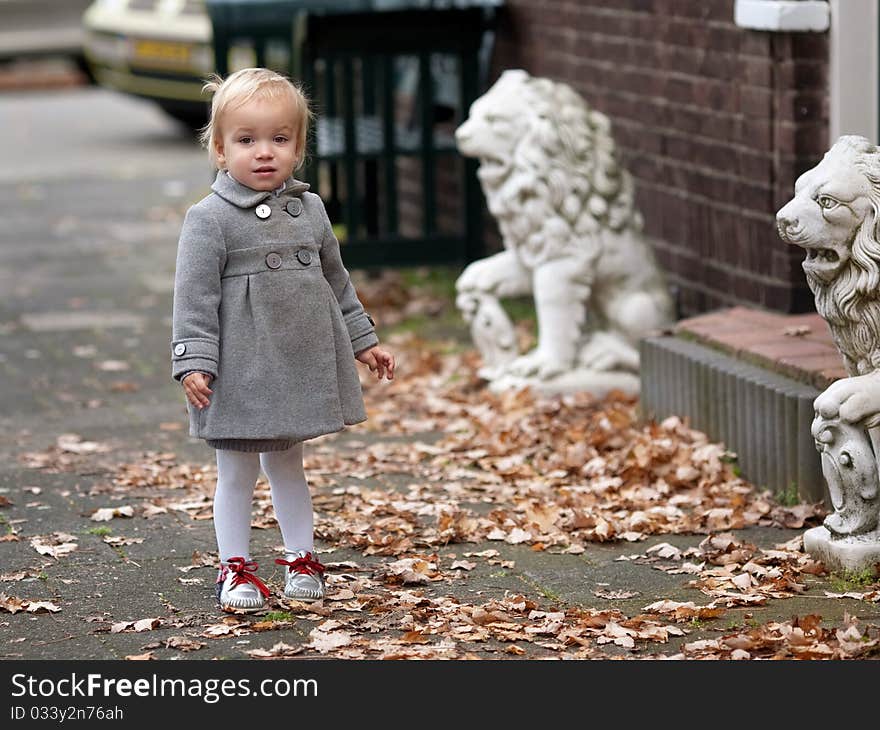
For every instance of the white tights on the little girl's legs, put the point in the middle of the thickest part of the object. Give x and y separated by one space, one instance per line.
237 473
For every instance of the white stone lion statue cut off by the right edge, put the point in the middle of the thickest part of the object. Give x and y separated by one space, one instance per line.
833 216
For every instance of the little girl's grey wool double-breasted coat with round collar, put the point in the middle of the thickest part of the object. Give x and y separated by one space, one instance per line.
265 305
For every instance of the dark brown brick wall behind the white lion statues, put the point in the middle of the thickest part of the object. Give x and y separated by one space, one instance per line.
714 121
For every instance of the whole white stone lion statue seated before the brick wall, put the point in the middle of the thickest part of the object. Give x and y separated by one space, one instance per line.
572 239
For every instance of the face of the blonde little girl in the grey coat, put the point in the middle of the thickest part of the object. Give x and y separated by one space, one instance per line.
257 144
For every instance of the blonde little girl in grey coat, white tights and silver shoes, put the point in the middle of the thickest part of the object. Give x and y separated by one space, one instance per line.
266 328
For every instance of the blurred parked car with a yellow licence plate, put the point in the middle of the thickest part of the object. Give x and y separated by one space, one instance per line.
156 49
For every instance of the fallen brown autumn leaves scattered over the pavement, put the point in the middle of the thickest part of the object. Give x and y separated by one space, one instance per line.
442 464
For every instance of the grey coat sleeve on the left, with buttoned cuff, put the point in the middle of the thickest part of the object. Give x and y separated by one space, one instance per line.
195 328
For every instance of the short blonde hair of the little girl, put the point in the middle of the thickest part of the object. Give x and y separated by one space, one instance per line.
243 86
